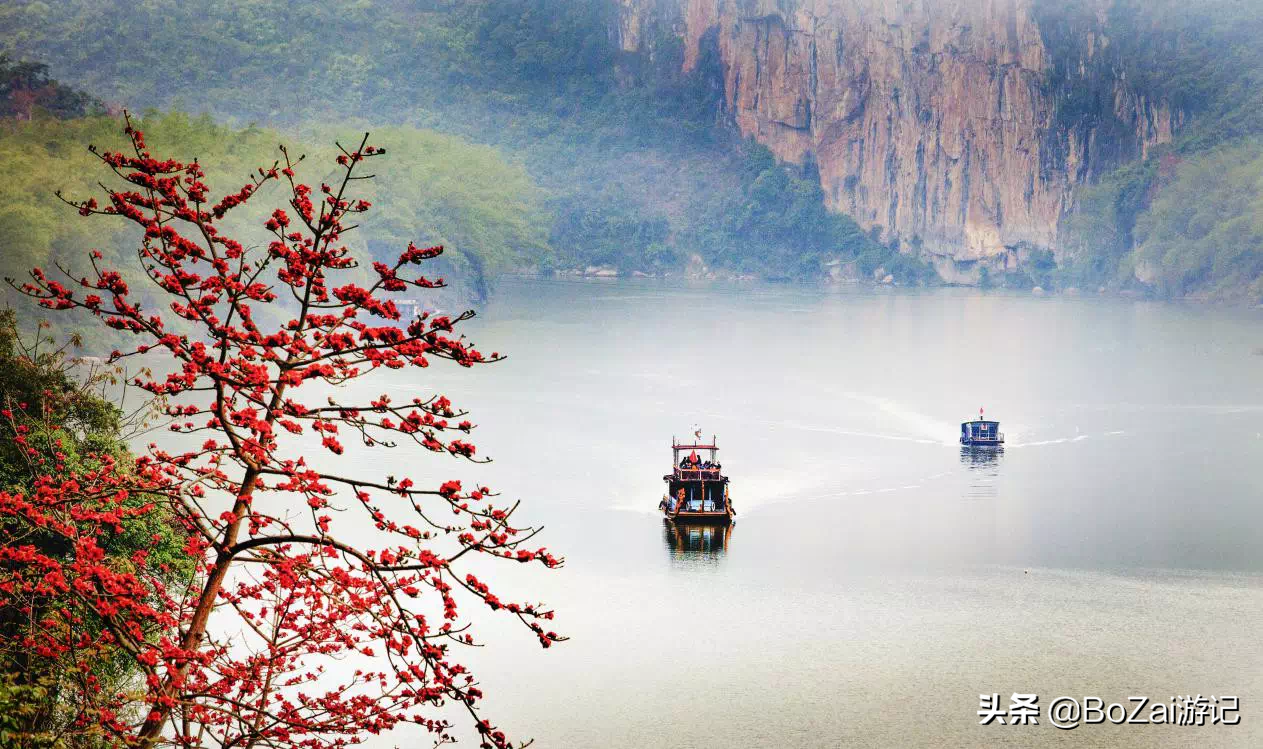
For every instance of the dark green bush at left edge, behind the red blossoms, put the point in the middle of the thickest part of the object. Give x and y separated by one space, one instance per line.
57 417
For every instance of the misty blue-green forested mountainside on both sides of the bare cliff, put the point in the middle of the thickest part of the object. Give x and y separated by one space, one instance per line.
636 161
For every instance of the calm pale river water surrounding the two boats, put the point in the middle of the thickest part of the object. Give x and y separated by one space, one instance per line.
878 580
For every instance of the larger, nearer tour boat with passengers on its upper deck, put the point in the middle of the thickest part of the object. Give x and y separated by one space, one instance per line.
697 488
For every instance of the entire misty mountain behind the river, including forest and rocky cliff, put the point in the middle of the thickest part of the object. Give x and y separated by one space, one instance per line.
1012 143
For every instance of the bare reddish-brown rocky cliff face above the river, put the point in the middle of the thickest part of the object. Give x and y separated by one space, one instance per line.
940 122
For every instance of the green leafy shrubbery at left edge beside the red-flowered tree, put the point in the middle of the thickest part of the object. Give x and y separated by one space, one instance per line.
69 424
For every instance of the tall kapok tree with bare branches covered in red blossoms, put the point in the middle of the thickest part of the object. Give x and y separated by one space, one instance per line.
239 657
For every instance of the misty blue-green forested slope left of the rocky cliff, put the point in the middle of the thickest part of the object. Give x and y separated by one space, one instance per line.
633 170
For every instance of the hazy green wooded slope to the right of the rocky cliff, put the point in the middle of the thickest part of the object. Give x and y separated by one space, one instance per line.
1187 220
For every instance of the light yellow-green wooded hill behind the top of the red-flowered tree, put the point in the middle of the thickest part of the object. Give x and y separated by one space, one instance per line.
435 189
